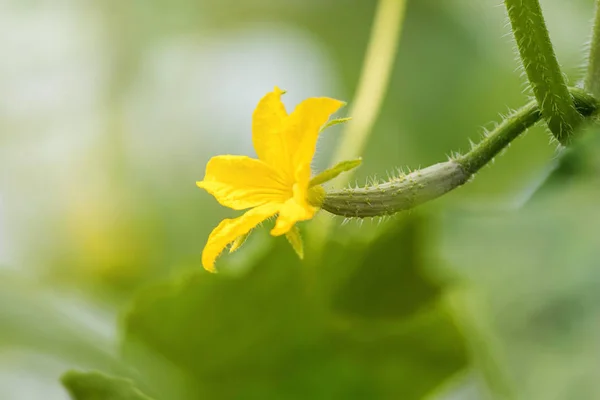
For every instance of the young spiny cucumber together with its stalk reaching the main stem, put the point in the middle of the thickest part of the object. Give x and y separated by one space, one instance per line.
410 190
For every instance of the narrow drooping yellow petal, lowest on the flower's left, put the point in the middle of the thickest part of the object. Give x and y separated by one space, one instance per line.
229 229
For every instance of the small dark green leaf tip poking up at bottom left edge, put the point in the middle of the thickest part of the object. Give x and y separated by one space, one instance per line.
97 386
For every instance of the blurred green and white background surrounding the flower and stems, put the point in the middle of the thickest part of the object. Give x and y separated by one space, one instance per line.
109 111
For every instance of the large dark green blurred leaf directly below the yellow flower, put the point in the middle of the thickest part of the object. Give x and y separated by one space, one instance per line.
270 333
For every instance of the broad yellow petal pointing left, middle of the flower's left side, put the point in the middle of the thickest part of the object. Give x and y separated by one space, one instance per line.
241 182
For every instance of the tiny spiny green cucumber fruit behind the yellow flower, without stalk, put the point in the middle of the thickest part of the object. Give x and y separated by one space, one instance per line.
398 194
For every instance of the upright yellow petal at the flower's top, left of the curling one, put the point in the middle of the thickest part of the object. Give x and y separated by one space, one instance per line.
267 129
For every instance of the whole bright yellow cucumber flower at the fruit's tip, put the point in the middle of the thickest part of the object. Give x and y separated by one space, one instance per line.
278 182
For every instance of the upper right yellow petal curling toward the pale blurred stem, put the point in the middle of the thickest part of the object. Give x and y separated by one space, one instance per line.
304 124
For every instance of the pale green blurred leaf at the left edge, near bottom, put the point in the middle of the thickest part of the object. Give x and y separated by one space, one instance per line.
34 316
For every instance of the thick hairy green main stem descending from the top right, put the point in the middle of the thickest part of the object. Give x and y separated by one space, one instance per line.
542 68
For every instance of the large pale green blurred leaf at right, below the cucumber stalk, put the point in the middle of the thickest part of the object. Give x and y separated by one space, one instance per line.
534 275
